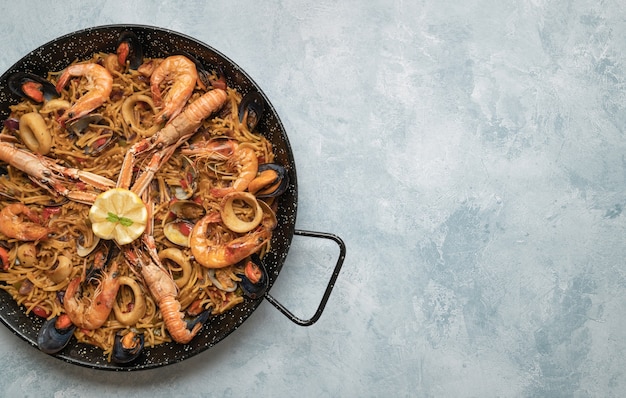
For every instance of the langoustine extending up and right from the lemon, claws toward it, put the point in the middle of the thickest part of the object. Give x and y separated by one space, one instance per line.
166 140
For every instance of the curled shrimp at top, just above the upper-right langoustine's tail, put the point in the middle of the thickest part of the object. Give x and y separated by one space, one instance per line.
183 73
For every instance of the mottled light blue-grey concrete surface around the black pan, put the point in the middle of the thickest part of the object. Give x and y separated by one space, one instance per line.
471 155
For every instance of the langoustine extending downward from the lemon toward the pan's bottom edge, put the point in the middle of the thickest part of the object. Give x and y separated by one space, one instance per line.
164 291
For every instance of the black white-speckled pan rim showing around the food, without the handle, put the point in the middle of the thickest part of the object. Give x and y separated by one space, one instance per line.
156 42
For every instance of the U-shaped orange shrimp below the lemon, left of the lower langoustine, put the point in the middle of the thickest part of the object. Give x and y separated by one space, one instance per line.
92 314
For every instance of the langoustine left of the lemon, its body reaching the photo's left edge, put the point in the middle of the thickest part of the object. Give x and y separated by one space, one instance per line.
46 173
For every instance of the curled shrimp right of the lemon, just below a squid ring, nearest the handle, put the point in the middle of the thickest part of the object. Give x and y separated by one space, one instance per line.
211 254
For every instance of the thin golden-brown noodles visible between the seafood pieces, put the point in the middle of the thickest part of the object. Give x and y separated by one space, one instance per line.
31 285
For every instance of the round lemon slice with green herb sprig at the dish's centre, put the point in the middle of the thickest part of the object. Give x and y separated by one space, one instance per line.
118 214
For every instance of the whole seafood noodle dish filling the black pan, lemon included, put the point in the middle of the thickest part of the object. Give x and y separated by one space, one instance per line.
137 200
